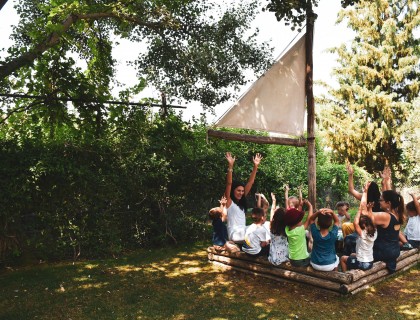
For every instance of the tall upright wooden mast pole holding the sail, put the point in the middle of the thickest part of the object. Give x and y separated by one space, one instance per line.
310 105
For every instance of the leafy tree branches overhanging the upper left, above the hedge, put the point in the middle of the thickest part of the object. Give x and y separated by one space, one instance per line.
194 49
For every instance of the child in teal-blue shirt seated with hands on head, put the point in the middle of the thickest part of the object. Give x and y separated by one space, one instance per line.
323 255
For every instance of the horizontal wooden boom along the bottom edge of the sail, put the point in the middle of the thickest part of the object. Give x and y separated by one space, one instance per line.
300 142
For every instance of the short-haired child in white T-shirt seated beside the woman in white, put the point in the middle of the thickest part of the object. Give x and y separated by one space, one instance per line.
257 238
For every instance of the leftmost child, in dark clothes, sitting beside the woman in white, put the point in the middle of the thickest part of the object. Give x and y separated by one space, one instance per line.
218 215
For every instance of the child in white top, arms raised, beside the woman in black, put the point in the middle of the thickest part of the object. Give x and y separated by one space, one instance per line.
366 229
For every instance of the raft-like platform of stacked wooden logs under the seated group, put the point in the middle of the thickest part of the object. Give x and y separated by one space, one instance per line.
349 282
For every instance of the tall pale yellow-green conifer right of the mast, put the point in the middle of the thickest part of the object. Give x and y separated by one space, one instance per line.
379 78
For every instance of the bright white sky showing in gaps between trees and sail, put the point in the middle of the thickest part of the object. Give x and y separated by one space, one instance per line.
327 35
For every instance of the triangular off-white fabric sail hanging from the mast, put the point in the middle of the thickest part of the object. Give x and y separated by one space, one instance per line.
276 101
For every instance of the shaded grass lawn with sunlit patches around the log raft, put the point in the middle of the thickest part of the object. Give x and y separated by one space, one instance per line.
179 283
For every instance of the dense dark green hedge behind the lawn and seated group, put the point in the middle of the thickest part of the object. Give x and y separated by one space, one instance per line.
143 181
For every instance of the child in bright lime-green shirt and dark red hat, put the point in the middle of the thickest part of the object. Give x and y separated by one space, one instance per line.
296 235
